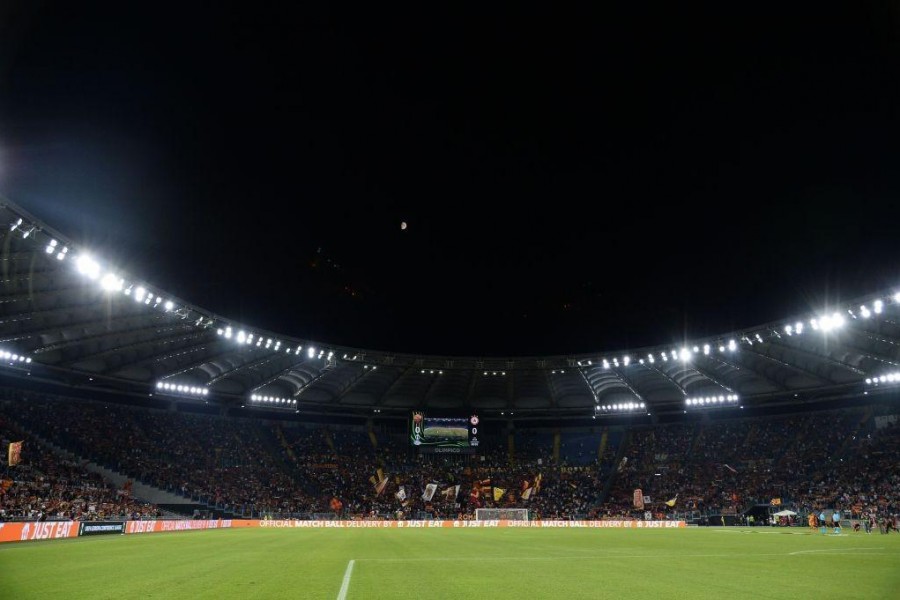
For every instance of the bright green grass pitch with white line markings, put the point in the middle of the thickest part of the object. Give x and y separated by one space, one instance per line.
457 563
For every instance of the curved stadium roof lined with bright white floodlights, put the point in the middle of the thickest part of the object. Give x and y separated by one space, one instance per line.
71 317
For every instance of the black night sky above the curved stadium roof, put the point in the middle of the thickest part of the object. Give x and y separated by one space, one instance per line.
573 181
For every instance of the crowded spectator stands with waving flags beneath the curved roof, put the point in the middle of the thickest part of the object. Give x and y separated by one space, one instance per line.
278 468
